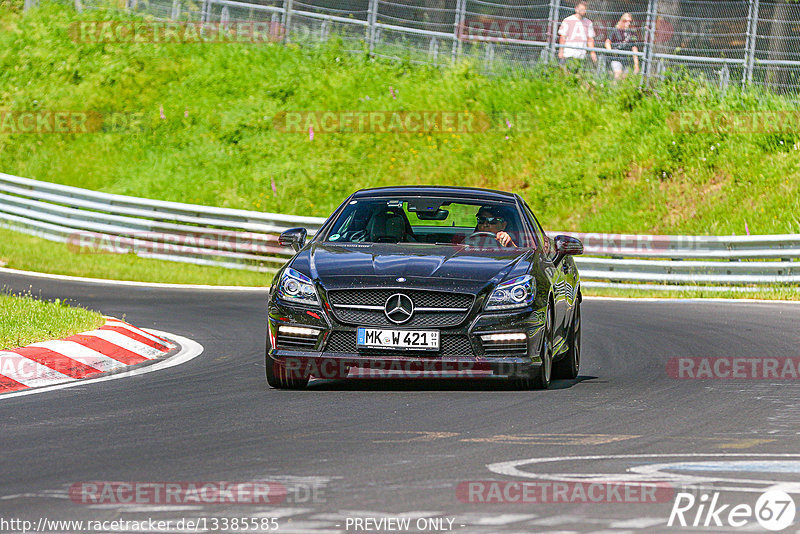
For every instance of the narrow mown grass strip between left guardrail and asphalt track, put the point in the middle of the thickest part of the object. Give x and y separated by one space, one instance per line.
21 251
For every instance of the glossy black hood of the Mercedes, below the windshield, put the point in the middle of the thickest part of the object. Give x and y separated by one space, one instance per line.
351 265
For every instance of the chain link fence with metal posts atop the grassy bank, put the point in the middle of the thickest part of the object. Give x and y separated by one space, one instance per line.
727 42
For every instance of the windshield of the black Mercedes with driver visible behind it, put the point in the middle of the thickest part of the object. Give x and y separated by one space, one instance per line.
442 221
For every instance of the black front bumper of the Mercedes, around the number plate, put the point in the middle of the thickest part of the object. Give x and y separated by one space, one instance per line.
318 360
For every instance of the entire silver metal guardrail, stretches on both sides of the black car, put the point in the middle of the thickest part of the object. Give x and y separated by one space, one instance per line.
95 222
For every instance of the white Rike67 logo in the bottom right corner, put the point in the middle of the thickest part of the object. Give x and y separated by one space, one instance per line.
774 510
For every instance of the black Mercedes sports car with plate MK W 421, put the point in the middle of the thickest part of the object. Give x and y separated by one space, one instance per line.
407 280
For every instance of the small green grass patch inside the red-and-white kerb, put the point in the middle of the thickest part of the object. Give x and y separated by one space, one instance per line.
25 320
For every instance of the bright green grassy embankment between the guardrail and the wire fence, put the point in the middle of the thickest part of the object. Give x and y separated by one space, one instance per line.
588 156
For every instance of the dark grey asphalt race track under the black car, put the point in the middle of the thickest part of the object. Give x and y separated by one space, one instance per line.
369 448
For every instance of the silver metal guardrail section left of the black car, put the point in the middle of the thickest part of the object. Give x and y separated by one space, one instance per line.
93 221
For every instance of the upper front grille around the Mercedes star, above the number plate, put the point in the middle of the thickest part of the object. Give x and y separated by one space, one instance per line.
421 299
